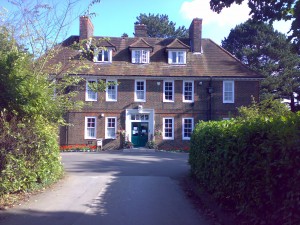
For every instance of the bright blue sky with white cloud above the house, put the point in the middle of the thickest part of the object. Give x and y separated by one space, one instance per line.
115 17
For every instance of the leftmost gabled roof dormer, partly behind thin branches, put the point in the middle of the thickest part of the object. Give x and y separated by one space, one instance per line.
103 51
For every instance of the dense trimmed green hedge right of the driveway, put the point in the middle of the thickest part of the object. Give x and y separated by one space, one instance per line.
252 164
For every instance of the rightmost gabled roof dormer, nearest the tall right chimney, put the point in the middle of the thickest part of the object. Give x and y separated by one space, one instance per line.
177 52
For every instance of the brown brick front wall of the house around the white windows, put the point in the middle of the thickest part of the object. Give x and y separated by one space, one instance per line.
199 110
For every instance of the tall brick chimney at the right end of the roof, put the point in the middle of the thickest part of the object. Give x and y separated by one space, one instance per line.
195 33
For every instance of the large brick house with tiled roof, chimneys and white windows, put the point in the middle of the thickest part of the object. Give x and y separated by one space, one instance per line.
157 89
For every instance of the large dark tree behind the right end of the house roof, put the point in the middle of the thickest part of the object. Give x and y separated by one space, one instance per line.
268 52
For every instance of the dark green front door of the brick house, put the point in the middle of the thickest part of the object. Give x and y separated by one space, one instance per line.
139 133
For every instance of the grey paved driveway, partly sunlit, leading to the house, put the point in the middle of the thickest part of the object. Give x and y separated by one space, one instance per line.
113 188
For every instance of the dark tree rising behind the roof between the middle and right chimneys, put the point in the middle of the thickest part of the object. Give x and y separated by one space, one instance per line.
159 26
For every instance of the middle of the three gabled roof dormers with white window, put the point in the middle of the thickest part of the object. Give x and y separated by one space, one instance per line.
140 51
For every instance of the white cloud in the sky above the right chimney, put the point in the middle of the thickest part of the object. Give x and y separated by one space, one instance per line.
230 17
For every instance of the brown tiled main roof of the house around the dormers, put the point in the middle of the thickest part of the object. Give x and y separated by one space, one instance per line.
213 62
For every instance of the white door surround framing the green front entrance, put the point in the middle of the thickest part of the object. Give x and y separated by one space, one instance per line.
128 121
